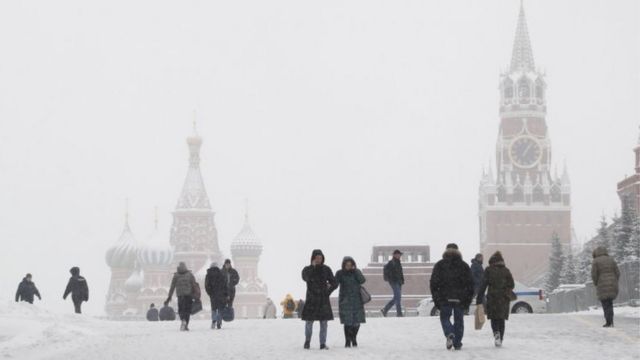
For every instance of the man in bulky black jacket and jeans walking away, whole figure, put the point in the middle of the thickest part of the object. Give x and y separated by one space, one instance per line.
452 291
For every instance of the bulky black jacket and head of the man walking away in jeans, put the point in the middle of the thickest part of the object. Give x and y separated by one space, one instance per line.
451 280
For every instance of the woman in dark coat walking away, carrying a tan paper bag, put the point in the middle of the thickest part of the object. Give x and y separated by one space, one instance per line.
499 282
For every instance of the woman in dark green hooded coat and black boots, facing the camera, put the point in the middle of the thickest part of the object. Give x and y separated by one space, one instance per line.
350 303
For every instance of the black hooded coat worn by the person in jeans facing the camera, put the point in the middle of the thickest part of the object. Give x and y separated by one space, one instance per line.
320 284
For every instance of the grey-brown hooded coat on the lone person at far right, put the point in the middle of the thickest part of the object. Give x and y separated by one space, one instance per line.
605 274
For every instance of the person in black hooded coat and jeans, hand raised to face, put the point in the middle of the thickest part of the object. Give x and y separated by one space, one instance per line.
320 284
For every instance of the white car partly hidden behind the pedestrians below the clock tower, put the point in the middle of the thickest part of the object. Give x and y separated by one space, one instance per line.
530 300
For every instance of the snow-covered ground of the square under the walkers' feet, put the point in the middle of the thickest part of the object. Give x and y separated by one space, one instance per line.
27 332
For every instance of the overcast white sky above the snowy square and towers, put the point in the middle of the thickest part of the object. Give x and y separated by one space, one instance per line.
346 123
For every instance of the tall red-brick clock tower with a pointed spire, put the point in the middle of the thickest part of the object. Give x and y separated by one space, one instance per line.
523 205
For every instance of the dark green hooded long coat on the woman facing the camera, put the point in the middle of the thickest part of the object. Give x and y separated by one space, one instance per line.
350 303
